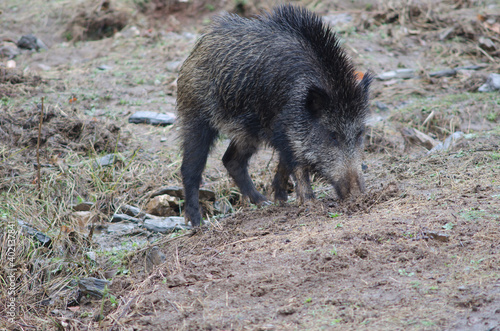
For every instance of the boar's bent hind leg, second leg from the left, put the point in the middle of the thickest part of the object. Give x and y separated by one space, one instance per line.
236 162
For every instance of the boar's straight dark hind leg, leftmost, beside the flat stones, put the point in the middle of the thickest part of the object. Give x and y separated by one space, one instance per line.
197 140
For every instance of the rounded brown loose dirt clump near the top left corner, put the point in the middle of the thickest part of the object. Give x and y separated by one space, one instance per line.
97 20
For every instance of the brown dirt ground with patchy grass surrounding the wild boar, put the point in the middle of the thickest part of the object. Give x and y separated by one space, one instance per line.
419 250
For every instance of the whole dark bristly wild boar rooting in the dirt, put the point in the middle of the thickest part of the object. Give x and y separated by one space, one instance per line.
281 79
